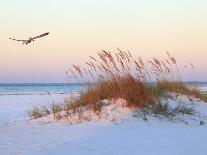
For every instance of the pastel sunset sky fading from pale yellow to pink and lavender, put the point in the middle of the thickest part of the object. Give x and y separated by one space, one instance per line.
80 28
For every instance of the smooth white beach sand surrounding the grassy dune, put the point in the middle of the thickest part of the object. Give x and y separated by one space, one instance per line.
128 135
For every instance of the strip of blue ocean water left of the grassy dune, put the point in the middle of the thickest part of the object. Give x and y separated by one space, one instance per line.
38 88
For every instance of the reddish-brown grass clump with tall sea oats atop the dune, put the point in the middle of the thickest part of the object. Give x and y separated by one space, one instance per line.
120 75
